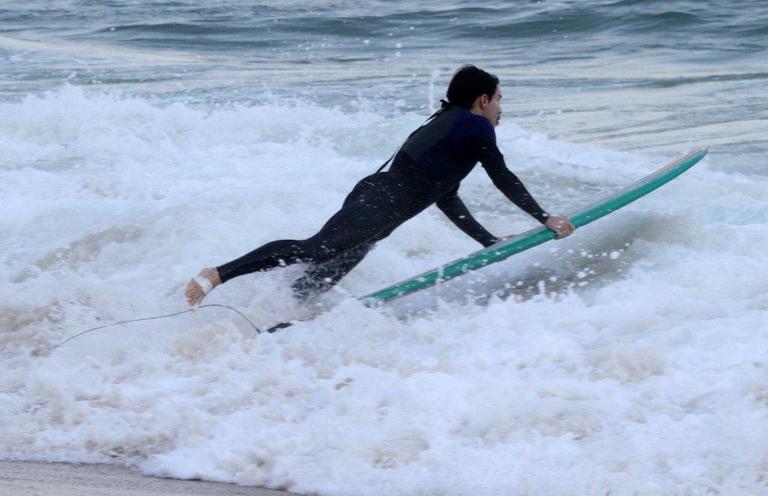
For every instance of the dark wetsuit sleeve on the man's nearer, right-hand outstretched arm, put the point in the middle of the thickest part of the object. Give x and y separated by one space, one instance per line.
504 179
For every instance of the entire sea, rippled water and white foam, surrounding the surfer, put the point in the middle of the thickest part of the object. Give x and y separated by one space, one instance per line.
142 140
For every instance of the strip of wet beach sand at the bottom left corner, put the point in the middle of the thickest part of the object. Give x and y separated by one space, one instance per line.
65 479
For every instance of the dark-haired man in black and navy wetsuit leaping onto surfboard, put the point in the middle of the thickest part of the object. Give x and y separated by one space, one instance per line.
426 170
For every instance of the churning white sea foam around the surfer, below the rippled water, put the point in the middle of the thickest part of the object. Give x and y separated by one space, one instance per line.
628 359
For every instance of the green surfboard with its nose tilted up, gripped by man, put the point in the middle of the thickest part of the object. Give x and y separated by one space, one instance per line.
534 237
